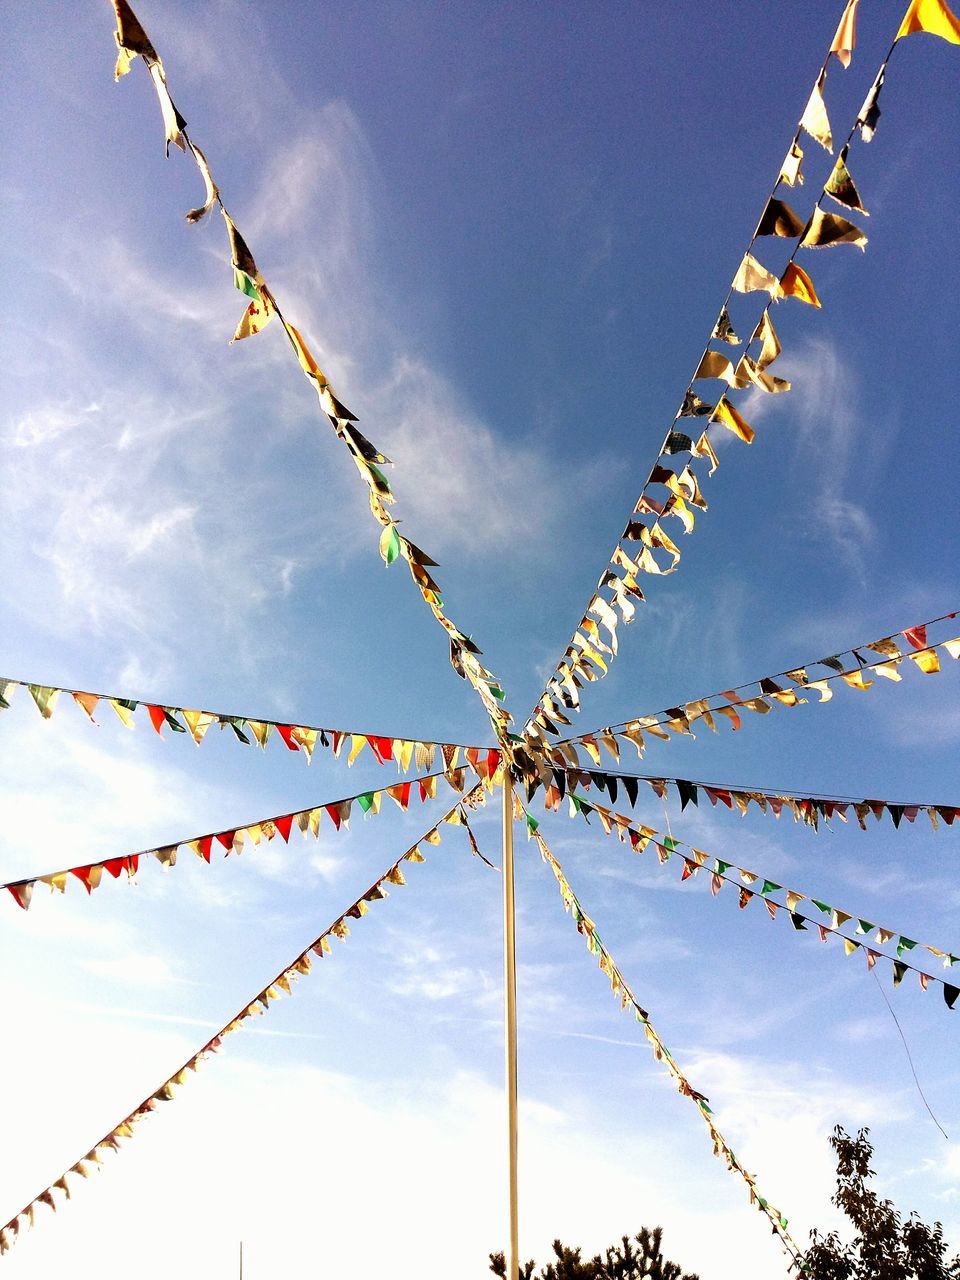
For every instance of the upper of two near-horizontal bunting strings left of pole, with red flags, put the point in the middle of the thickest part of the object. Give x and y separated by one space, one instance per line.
248 730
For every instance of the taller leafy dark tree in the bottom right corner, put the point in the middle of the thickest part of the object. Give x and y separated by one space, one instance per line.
886 1247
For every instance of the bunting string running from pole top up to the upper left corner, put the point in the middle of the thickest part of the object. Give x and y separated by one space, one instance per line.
132 42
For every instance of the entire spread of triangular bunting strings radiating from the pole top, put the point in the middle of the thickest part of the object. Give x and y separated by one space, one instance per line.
646 547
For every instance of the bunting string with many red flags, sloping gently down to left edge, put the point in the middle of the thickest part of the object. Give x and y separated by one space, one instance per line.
232 840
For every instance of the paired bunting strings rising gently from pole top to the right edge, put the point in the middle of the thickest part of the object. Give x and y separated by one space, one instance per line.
761 696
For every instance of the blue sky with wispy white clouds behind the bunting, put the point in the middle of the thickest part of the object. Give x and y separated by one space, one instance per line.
506 232
